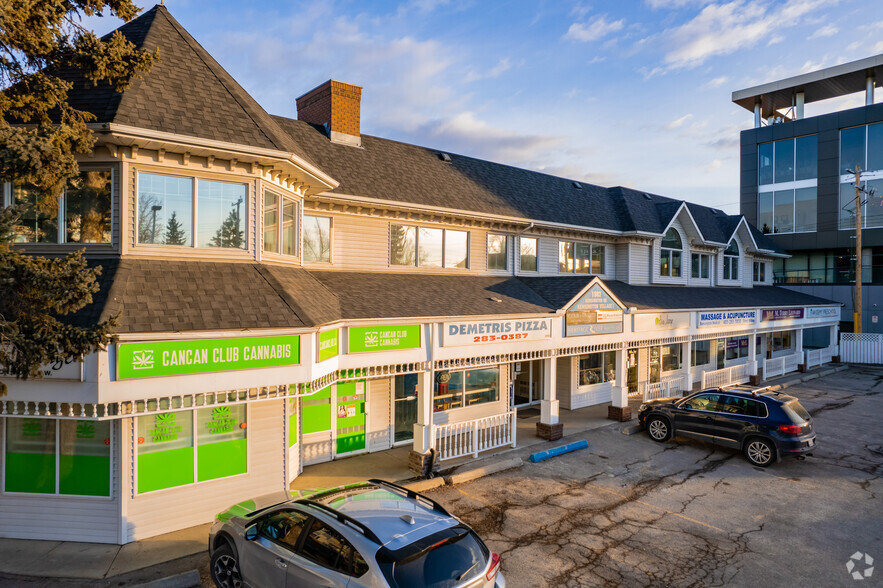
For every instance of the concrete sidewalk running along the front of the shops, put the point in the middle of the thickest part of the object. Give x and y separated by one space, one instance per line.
95 561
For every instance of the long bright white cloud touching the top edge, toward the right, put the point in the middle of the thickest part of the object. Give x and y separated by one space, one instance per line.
721 29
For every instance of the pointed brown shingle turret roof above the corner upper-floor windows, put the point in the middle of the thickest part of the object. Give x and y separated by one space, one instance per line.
186 92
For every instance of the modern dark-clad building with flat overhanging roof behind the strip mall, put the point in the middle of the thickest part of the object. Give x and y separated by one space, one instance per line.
795 187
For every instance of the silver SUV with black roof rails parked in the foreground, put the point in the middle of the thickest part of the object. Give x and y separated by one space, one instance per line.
373 533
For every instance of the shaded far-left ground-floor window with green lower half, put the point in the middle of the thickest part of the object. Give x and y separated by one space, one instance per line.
81 465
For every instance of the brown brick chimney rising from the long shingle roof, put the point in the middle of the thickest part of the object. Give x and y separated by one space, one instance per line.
335 105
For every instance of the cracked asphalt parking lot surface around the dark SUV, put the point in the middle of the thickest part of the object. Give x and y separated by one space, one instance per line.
629 511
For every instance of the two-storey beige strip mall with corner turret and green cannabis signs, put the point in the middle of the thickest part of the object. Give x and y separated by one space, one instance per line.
293 291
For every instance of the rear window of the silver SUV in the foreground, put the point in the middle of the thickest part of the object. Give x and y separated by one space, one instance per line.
451 560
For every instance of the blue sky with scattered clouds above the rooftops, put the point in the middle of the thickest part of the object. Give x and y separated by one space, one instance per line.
633 93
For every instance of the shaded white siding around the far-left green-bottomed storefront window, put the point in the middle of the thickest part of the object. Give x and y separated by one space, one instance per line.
61 518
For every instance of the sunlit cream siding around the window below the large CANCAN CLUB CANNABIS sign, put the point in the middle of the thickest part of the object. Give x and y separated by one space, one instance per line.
162 511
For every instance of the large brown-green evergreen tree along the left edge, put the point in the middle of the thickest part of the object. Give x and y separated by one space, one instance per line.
40 137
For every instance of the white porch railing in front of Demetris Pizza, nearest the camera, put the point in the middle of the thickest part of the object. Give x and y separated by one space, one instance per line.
472 437
